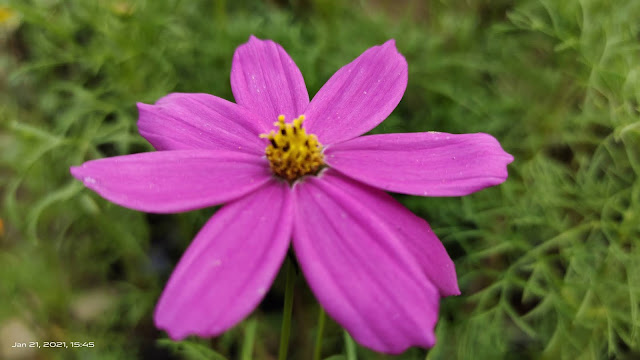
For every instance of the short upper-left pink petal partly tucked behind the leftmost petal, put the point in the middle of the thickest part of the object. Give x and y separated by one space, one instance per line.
182 121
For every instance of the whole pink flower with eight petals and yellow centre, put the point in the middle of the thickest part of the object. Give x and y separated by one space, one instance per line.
375 267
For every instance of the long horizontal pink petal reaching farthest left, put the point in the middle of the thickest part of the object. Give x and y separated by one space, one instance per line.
173 181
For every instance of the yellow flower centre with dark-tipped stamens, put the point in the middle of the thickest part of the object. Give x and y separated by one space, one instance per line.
292 152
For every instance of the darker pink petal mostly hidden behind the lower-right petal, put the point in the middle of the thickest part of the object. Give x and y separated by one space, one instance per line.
413 231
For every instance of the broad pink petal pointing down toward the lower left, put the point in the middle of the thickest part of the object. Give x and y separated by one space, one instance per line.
229 266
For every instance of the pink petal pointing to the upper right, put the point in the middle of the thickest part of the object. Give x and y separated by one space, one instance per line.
359 96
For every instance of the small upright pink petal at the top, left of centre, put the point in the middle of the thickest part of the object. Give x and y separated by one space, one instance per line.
265 80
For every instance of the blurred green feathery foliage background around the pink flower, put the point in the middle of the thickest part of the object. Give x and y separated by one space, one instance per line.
548 262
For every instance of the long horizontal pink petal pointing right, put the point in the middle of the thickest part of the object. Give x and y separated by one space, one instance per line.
426 164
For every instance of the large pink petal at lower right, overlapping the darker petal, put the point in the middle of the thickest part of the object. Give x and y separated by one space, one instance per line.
356 262
